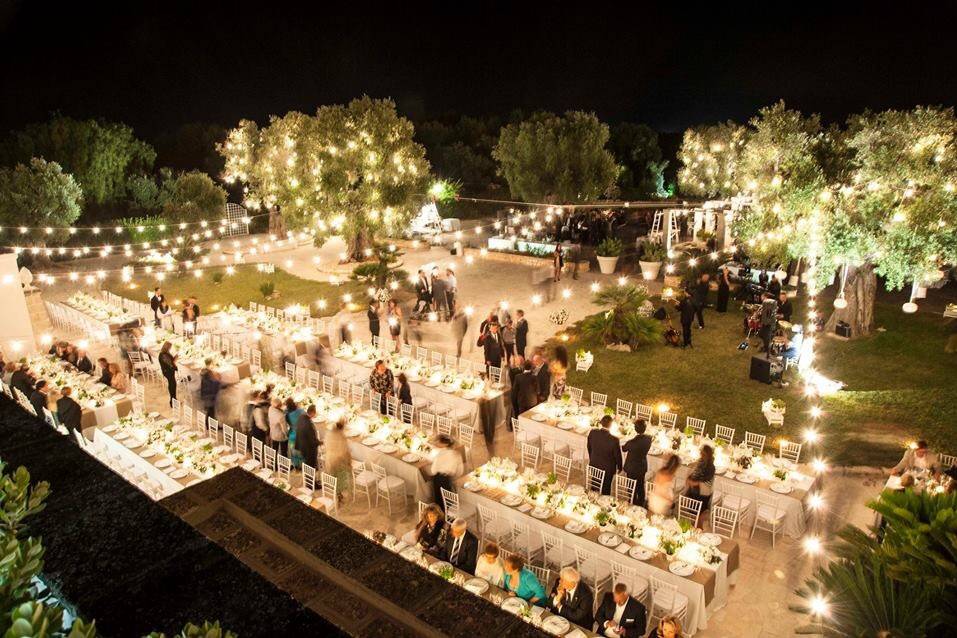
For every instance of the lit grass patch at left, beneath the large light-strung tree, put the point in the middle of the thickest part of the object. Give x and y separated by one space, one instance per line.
243 287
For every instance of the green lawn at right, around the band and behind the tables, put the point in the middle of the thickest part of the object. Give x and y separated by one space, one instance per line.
900 385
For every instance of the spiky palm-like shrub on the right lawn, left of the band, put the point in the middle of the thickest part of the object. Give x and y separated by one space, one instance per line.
622 323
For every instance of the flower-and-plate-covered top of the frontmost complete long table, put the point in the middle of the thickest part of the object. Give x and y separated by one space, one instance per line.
651 531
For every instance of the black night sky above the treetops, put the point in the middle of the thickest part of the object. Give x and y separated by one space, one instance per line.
161 64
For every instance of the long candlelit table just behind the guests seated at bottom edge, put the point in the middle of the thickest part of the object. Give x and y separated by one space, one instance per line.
706 587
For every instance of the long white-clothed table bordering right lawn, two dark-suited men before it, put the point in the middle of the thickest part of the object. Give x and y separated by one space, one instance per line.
548 422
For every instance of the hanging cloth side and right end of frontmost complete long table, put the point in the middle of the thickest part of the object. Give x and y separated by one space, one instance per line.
706 589
